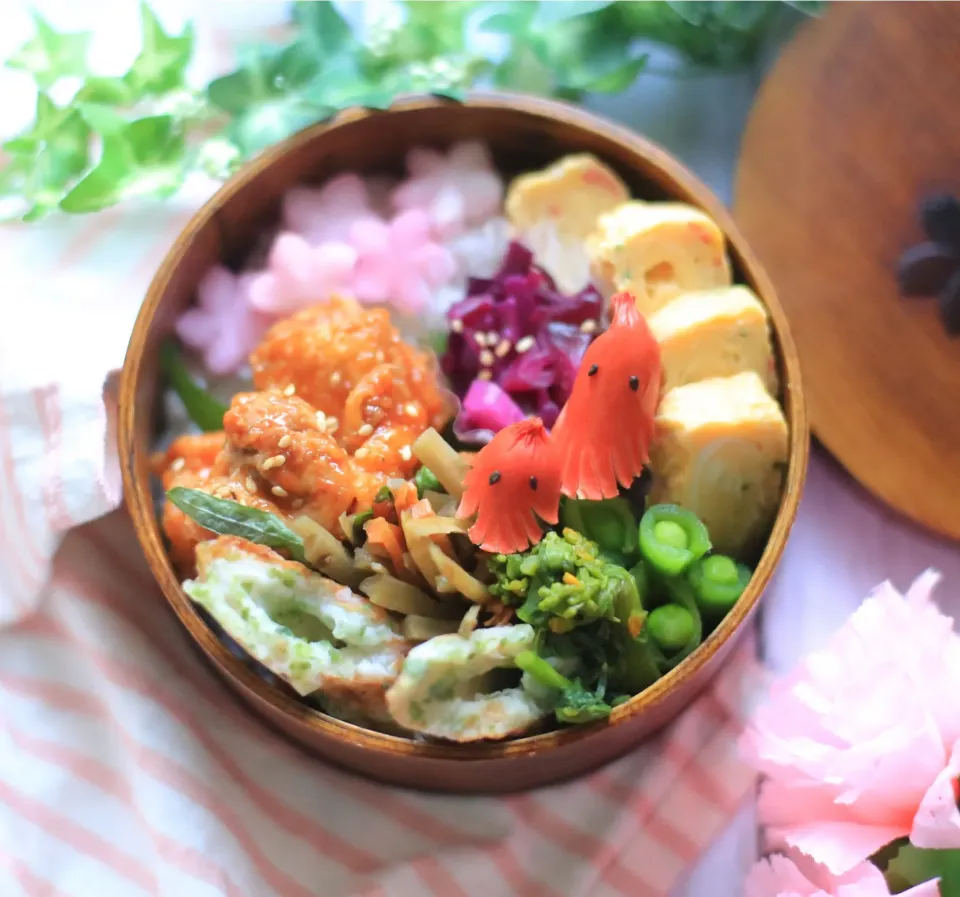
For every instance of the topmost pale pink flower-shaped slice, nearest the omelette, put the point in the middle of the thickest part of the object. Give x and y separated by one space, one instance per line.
456 191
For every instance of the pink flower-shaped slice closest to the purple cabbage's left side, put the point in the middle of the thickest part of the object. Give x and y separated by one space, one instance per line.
398 262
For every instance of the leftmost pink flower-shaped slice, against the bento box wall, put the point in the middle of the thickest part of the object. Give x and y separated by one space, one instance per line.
223 326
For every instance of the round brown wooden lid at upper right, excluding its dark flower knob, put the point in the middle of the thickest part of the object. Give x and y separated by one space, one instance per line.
852 127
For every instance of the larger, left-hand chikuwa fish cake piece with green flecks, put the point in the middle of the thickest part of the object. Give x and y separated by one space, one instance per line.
312 632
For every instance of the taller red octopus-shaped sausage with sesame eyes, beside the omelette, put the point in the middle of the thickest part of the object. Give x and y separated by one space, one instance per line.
604 432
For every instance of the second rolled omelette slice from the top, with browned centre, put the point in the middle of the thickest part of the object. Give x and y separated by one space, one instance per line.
657 251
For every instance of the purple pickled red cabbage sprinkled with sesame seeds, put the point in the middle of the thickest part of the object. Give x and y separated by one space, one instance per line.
519 306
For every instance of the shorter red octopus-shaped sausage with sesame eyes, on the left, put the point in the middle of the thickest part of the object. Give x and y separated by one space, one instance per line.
513 480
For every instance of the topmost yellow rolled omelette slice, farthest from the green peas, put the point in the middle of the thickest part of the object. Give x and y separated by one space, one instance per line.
552 212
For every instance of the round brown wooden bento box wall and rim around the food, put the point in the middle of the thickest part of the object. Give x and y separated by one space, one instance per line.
522 133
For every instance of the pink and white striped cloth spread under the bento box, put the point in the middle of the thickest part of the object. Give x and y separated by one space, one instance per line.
128 769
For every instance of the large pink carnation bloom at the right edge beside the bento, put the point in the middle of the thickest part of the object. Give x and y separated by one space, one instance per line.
861 745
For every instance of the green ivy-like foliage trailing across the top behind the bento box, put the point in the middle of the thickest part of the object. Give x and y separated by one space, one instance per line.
138 135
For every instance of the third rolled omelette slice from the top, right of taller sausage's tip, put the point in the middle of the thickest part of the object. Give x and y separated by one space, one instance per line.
714 333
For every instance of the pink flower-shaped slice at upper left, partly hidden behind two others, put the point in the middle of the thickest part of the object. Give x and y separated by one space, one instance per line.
324 214
